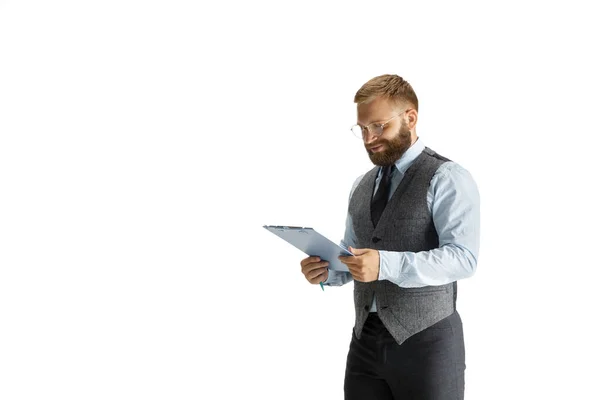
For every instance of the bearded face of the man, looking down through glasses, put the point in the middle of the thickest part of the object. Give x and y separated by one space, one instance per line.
396 137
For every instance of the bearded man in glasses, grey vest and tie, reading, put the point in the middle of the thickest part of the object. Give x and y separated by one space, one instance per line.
413 227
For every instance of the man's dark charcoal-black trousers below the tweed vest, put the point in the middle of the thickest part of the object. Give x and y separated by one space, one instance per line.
429 365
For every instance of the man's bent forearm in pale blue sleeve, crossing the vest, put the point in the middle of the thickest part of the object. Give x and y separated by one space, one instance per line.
435 267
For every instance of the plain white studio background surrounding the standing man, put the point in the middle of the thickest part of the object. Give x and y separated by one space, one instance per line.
143 144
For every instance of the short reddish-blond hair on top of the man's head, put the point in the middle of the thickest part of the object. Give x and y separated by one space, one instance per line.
392 87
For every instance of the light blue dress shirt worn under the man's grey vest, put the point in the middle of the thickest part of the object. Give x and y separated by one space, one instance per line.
453 200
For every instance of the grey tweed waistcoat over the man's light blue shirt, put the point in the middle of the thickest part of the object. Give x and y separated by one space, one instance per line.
405 225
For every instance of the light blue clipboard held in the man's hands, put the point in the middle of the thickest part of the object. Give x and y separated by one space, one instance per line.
312 243
